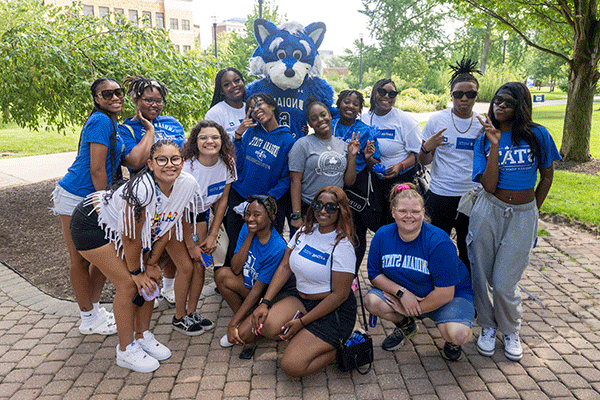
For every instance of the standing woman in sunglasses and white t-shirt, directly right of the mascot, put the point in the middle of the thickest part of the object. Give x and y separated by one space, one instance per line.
398 136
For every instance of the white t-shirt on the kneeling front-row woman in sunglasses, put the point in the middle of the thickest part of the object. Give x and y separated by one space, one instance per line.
310 260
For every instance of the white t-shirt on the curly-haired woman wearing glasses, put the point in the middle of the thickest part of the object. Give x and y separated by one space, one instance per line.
212 180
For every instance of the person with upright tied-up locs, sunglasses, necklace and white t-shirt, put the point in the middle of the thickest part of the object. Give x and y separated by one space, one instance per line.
448 139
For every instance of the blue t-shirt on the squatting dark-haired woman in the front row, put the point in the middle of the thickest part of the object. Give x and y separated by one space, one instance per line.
263 259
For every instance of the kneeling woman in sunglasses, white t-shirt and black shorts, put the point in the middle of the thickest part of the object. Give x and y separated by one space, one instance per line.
321 256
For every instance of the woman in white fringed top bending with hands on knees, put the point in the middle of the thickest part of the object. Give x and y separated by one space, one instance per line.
113 230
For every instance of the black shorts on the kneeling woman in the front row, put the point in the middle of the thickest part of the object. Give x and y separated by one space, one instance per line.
328 328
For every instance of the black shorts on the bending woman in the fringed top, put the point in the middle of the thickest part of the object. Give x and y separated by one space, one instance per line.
85 231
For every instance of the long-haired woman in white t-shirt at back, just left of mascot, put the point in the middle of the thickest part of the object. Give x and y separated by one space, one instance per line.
228 103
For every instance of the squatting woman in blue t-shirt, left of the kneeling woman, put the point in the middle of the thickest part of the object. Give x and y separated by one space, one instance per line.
257 255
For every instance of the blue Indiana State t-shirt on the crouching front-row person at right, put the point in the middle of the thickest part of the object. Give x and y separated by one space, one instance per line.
429 261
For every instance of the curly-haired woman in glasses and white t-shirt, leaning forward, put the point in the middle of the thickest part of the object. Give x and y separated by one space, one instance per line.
210 158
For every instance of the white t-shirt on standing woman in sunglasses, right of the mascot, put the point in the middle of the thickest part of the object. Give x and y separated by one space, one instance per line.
397 133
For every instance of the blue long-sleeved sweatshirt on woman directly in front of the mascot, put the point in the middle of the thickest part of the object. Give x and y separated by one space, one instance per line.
262 162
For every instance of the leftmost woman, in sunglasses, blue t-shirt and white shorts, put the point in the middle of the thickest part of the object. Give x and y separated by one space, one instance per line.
96 166
